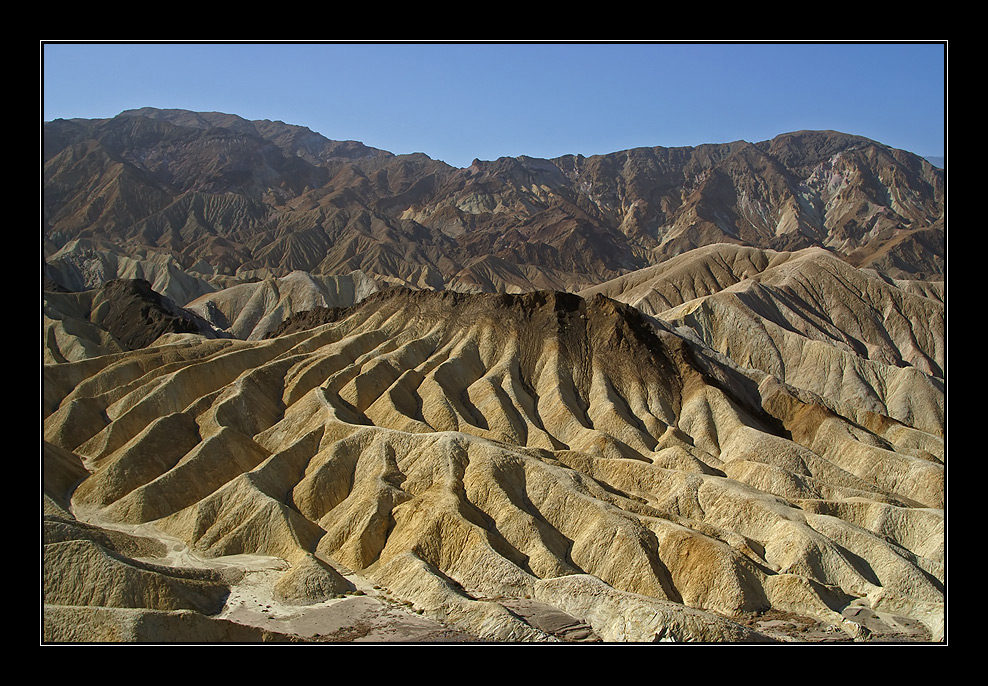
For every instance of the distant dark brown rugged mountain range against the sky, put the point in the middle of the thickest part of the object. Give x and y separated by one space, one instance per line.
243 196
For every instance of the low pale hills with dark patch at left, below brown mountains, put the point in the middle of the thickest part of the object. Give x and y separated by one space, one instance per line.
82 320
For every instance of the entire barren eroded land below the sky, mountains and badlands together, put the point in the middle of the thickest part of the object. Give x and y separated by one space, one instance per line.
692 394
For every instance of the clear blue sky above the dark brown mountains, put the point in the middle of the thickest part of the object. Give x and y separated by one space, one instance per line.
460 101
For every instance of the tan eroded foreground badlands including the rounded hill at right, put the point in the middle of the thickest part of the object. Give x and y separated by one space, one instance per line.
739 445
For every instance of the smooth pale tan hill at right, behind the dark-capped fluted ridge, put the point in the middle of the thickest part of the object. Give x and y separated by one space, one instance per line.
864 343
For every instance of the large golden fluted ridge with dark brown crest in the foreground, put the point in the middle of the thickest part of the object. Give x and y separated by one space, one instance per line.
470 451
